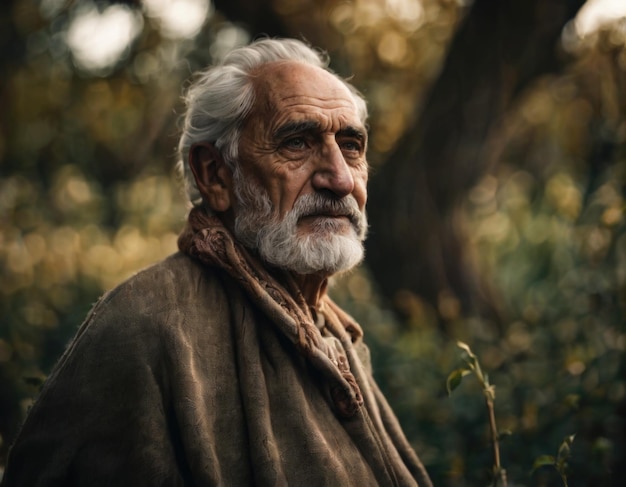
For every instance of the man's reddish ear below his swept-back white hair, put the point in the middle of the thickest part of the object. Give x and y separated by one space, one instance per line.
212 175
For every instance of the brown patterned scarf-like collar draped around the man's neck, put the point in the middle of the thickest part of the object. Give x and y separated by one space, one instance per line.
206 239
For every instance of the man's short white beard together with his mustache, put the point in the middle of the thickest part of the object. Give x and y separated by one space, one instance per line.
280 243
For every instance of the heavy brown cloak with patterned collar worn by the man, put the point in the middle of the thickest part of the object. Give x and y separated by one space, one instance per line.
199 374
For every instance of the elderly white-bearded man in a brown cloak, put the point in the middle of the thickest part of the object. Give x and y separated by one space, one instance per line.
227 364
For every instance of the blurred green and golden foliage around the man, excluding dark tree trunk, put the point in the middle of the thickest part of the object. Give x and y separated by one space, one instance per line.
88 196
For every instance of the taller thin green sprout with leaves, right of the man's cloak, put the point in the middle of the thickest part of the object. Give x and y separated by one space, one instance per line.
454 380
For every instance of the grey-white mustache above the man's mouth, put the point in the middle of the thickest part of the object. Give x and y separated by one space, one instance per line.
317 204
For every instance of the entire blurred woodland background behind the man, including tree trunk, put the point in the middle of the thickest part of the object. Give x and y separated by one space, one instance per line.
498 133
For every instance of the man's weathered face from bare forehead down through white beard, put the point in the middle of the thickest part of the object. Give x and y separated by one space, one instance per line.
303 171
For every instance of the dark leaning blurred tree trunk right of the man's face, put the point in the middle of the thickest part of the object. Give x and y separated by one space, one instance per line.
415 246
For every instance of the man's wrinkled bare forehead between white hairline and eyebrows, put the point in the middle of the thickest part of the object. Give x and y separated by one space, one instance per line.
283 84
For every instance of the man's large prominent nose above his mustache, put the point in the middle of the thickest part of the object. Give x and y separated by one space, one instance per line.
333 172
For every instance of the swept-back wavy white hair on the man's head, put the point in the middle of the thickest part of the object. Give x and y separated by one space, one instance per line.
222 96
